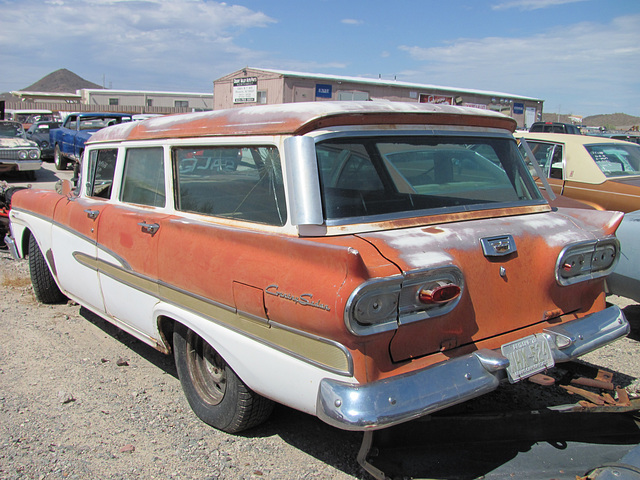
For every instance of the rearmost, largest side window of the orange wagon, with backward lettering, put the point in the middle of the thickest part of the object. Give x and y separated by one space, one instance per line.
242 183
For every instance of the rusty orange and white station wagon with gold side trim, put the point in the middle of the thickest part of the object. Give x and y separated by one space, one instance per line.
368 263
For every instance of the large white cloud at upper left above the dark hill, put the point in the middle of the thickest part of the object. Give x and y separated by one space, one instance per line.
134 40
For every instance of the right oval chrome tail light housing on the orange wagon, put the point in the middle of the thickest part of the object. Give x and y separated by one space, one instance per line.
587 260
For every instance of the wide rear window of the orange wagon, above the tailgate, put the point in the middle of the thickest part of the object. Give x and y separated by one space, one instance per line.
374 176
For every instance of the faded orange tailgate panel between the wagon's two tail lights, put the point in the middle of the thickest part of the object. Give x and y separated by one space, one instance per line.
499 293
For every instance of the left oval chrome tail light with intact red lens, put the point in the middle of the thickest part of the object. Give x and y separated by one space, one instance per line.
382 304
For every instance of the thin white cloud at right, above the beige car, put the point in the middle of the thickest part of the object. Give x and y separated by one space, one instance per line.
585 59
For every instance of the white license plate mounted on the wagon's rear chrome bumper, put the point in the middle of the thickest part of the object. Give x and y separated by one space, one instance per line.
527 356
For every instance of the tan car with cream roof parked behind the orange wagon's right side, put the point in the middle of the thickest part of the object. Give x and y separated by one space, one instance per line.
601 172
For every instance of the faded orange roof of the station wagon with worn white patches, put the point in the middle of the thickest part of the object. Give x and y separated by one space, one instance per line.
300 118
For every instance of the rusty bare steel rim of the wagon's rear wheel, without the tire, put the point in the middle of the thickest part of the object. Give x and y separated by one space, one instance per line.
207 369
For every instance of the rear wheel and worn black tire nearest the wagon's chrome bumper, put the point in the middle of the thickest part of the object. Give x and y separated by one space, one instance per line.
214 391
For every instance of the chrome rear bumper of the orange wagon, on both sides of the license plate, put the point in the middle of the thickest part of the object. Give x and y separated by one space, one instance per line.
405 397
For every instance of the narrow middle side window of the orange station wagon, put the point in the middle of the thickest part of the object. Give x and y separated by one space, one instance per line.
143 180
